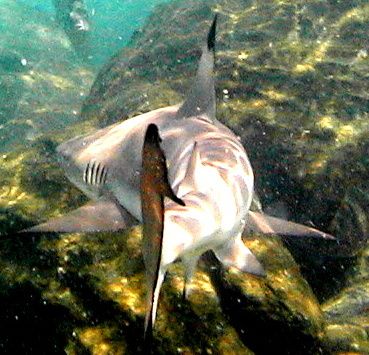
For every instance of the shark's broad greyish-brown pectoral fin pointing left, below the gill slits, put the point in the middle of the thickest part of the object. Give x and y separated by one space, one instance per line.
103 215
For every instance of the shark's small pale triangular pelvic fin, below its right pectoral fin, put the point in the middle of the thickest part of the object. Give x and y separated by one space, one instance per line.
235 253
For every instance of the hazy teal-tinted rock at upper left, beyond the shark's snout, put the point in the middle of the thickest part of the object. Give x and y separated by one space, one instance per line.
42 81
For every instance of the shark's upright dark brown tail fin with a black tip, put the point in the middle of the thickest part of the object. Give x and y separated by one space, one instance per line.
154 186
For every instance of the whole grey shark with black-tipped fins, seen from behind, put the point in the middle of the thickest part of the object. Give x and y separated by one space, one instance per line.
181 173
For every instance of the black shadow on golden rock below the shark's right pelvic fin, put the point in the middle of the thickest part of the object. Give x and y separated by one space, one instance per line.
268 325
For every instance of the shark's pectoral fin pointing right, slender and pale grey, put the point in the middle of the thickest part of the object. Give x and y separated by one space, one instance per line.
261 223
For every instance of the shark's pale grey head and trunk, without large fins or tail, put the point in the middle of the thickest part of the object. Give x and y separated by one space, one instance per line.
216 177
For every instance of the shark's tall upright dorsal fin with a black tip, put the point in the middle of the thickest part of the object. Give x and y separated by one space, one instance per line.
200 100
